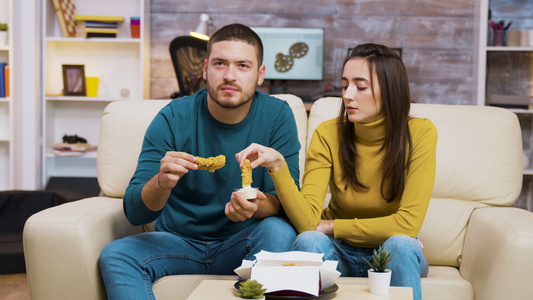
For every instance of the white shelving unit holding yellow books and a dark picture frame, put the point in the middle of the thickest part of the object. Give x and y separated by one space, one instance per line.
121 63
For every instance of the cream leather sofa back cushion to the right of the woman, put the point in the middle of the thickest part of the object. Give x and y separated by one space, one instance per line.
465 172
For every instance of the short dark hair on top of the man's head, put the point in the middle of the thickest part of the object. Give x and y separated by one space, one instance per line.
240 33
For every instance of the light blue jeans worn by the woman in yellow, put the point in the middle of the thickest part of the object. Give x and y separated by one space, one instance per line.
408 263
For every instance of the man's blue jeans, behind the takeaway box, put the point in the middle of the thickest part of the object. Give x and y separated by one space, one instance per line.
130 265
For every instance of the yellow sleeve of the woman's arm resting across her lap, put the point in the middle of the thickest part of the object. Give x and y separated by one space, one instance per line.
413 203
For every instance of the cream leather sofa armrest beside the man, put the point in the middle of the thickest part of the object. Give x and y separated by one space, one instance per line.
62 246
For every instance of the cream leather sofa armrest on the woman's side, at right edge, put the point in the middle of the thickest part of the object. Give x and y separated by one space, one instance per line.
497 258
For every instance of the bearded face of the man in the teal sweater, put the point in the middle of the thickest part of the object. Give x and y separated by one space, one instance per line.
232 73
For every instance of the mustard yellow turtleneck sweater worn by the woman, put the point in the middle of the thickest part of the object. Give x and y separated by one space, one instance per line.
363 218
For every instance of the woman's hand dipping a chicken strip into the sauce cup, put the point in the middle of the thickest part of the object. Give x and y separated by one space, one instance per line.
260 155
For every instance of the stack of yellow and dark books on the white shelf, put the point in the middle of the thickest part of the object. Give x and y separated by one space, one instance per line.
97 26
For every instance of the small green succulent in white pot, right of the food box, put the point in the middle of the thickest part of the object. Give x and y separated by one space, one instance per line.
378 274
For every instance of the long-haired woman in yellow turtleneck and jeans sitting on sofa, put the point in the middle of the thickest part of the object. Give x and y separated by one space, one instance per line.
379 164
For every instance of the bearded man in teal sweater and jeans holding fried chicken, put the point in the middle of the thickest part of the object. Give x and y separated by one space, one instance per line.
203 226
